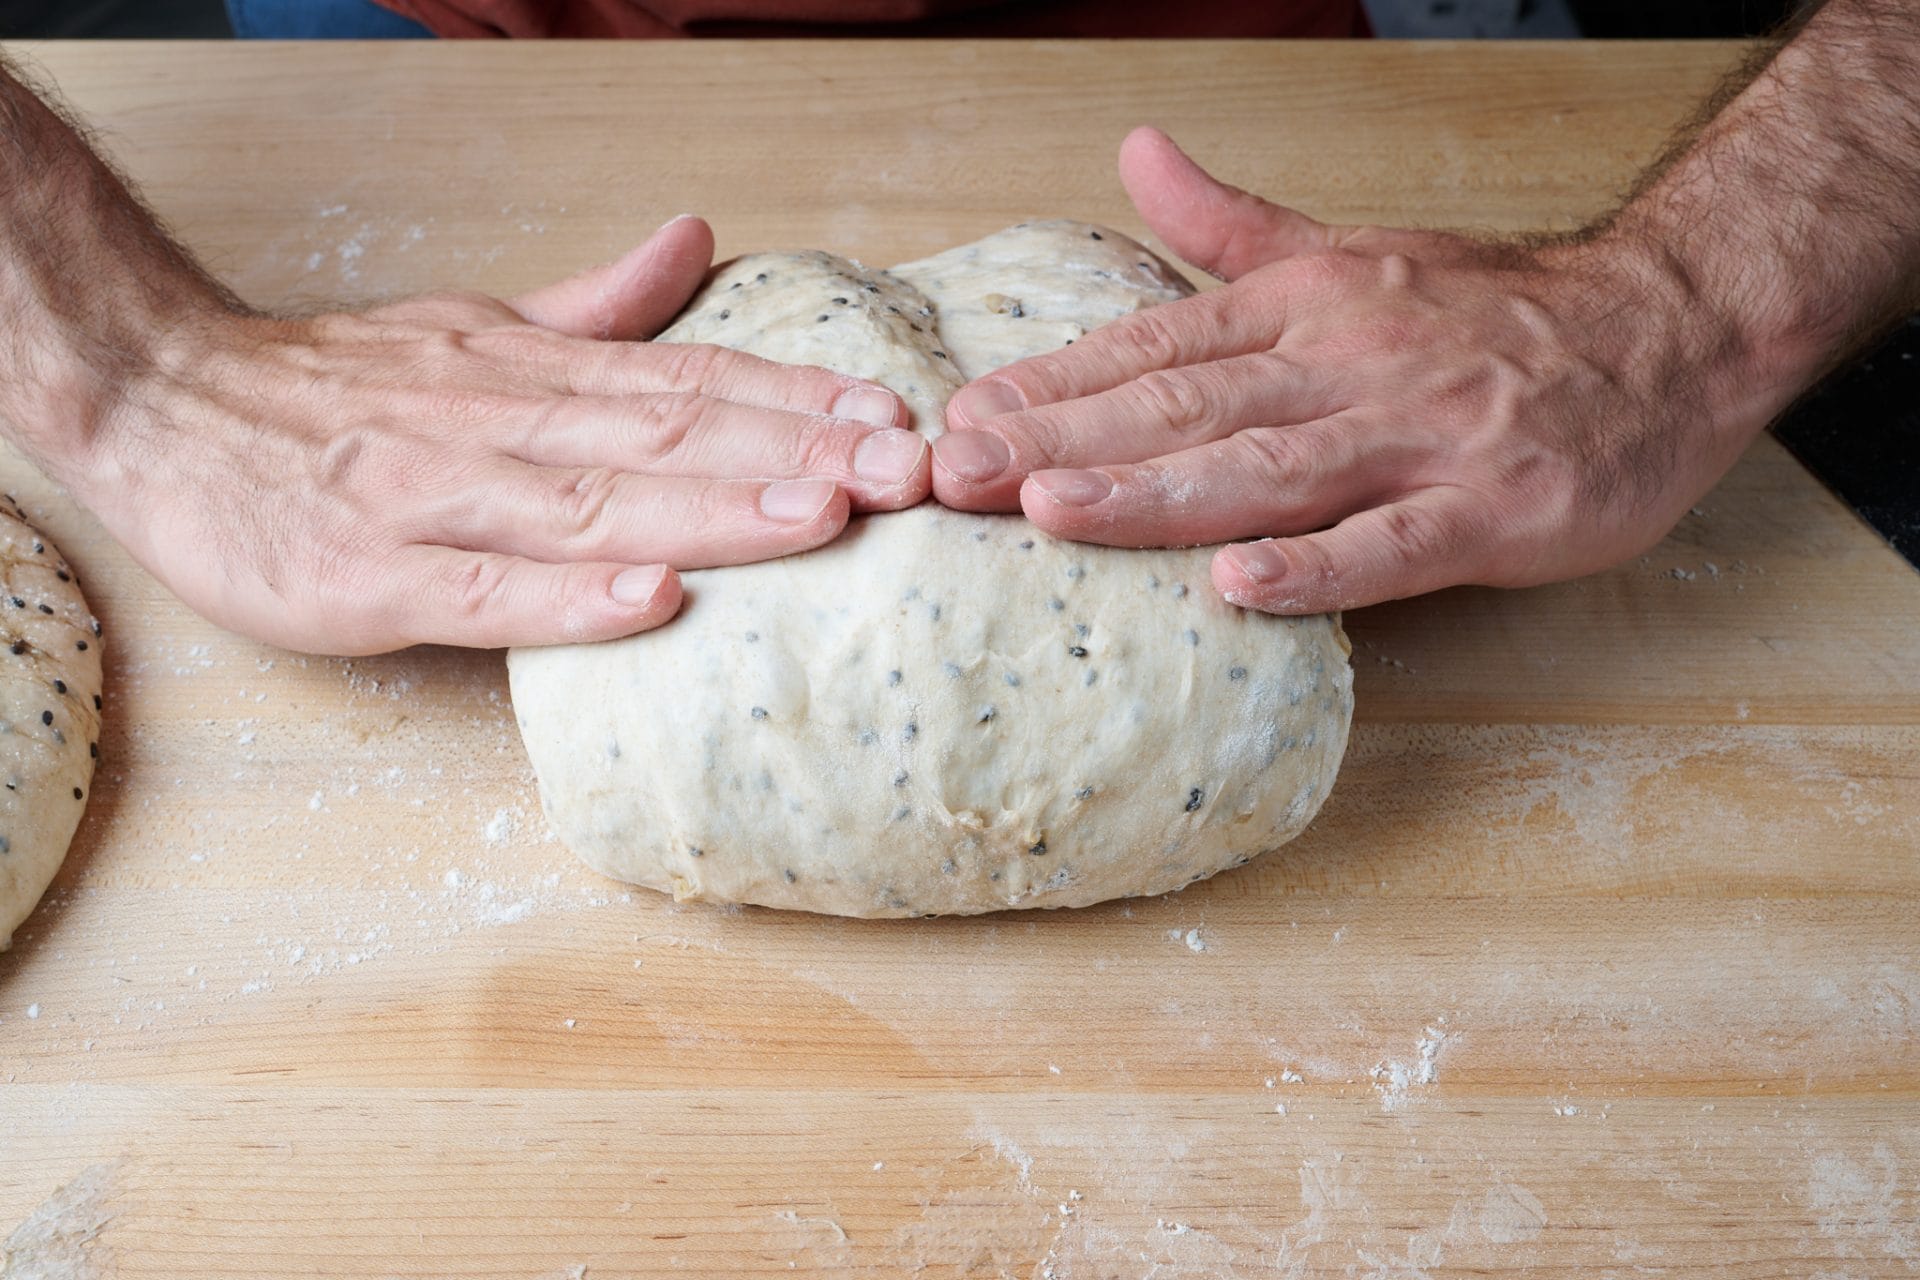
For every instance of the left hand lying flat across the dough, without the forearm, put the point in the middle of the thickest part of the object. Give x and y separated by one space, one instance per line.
468 471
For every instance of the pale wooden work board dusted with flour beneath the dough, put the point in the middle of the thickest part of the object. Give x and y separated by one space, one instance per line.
1600 962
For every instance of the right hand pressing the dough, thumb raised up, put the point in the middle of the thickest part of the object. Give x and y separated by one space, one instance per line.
1387 412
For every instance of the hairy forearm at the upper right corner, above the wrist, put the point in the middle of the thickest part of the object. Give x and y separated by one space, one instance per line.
1794 218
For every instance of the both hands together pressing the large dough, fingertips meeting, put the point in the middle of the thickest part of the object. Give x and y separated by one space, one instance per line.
1380 412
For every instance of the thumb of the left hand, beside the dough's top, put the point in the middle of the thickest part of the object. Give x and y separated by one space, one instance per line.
635 296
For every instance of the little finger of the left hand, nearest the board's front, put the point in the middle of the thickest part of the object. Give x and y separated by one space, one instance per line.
491 602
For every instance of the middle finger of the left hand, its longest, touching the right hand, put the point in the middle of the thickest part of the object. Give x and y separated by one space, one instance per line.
698 437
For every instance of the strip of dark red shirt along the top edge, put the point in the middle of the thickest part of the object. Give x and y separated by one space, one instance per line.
884 18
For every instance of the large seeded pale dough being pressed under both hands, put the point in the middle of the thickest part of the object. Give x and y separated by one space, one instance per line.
940 711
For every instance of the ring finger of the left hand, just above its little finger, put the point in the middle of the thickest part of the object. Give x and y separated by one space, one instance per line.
565 515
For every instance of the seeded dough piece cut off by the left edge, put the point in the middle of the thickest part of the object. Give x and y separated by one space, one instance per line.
49 713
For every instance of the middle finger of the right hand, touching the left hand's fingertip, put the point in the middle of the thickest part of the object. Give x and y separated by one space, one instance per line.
1161 412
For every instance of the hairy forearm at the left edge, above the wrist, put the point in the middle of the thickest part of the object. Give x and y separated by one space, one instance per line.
91 287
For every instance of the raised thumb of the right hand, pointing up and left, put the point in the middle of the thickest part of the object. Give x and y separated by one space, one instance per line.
1220 229
